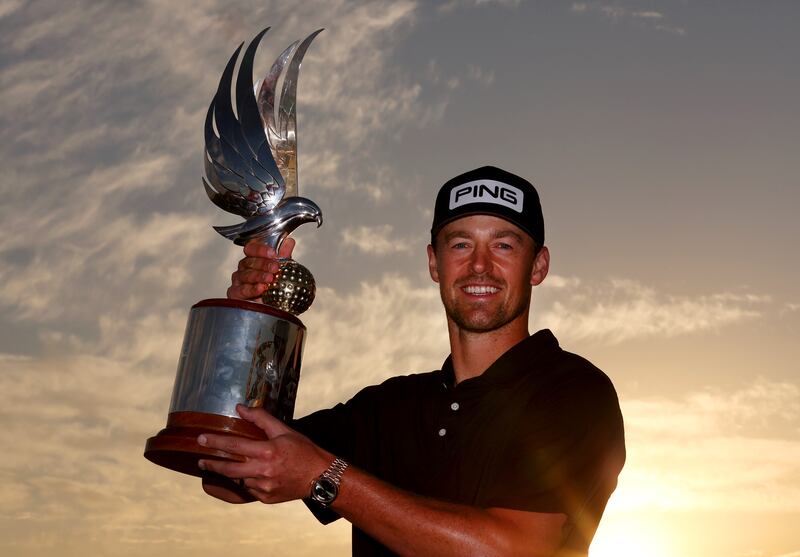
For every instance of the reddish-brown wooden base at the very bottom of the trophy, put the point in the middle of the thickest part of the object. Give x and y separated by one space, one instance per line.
175 447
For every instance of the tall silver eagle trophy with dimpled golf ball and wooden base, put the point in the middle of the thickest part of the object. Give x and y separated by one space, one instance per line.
238 352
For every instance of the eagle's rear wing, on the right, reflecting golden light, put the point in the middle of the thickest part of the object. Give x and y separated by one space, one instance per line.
280 126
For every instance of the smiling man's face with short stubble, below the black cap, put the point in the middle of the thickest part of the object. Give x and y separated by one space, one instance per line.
485 267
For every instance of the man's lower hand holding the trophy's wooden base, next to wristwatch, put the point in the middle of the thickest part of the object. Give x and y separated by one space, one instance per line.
279 469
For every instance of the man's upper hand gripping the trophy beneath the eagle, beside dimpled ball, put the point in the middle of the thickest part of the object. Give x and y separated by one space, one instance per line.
257 269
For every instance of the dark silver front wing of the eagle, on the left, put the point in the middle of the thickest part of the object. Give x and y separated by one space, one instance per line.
242 175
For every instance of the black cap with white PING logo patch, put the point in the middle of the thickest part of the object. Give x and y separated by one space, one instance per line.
490 191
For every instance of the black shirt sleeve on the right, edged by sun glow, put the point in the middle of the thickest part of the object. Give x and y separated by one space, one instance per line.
566 453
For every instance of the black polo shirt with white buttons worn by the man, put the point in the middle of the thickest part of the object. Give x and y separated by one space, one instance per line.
540 430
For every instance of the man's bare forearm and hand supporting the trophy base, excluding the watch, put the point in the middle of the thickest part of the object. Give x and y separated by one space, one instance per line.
282 469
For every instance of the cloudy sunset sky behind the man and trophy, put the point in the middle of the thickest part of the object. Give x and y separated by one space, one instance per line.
662 136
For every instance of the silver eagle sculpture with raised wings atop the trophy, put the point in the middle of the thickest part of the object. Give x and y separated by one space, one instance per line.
251 153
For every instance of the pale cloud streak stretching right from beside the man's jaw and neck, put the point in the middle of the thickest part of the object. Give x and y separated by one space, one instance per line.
619 310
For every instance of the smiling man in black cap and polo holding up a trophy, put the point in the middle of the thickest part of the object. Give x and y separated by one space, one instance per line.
512 448
